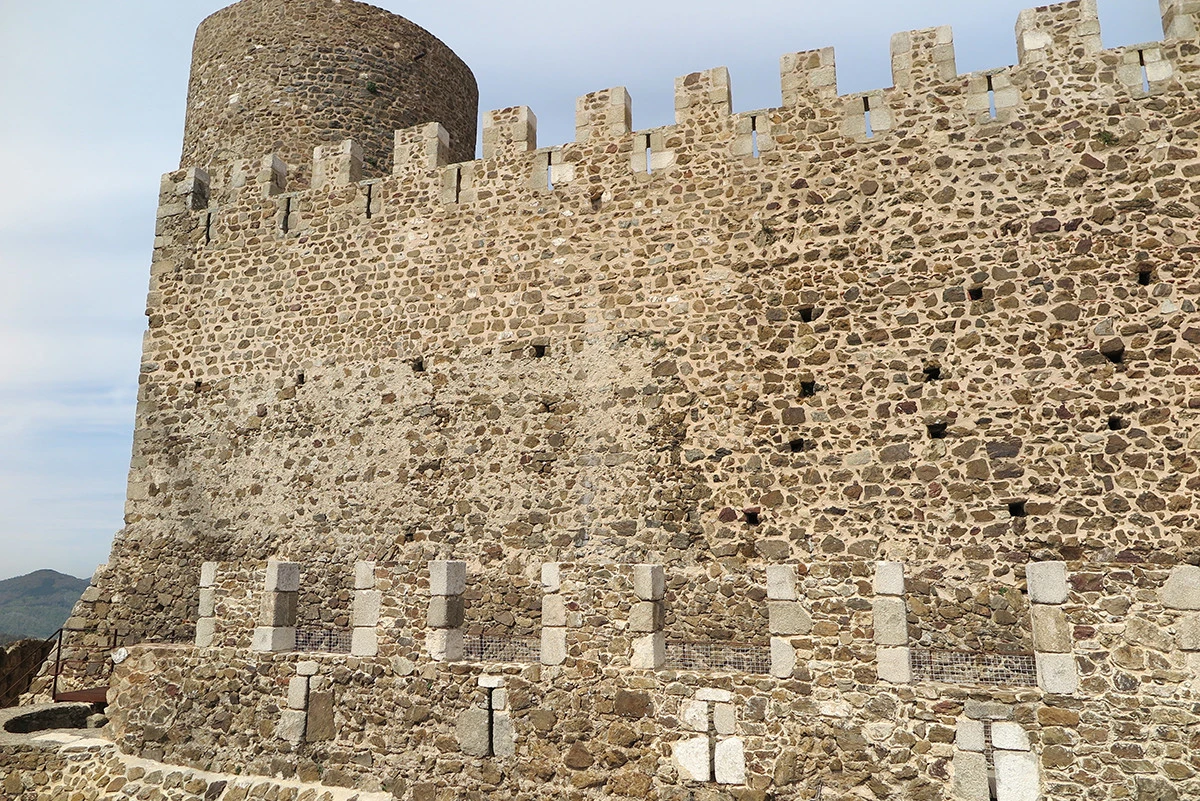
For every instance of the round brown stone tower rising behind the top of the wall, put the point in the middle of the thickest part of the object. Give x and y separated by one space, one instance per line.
286 76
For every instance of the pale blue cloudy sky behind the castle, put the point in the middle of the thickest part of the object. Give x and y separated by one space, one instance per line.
92 113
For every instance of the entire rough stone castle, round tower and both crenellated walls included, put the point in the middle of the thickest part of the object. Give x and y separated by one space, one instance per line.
844 450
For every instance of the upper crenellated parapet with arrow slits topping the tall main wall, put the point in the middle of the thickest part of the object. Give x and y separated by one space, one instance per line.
1063 76
